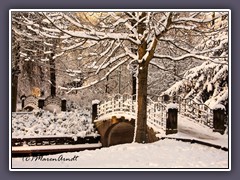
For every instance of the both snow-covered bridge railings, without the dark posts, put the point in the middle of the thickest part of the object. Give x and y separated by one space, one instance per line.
125 105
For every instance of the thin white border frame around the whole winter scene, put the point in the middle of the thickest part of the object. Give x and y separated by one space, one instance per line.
120 10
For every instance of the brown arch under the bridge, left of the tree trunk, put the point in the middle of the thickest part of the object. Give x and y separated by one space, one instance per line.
119 133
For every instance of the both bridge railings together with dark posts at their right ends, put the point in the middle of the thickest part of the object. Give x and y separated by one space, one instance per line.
158 114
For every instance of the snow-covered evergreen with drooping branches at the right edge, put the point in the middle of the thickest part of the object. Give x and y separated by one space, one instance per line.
208 82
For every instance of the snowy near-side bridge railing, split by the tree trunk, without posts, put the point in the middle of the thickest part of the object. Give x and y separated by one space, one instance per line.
125 105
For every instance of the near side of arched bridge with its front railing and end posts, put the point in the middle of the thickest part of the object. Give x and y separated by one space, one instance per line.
115 117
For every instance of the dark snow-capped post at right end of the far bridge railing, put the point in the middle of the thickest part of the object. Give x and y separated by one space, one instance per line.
218 119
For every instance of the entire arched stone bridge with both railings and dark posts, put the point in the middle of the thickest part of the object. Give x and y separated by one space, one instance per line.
115 117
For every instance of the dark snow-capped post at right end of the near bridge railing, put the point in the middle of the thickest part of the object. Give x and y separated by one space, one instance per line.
171 124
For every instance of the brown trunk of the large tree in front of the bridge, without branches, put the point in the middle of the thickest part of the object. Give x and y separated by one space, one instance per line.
141 132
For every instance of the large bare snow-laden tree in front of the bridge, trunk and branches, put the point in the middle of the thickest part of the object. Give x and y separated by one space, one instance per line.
108 40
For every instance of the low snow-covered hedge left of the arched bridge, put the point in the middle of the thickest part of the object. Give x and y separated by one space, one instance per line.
43 123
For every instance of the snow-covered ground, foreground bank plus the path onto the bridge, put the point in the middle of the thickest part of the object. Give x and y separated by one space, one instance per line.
161 154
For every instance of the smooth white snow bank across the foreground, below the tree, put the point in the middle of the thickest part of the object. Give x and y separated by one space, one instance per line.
161 154
